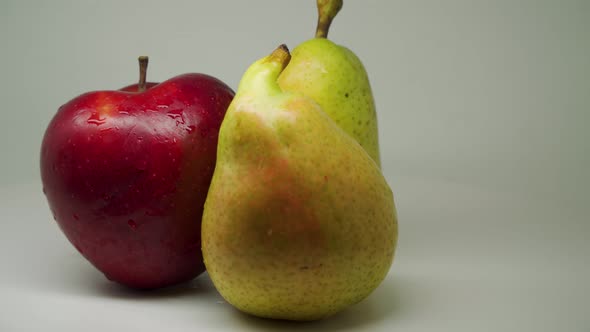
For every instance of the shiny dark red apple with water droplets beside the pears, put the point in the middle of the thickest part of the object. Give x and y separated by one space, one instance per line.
126 174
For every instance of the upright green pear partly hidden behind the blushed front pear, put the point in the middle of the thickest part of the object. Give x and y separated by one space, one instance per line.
336 79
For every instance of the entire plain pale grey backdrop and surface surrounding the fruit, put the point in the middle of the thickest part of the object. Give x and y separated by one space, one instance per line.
483 111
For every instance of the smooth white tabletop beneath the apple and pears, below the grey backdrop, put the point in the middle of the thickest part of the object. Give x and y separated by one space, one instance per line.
469 259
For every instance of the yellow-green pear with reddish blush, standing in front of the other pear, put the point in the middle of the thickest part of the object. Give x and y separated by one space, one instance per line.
299 222
